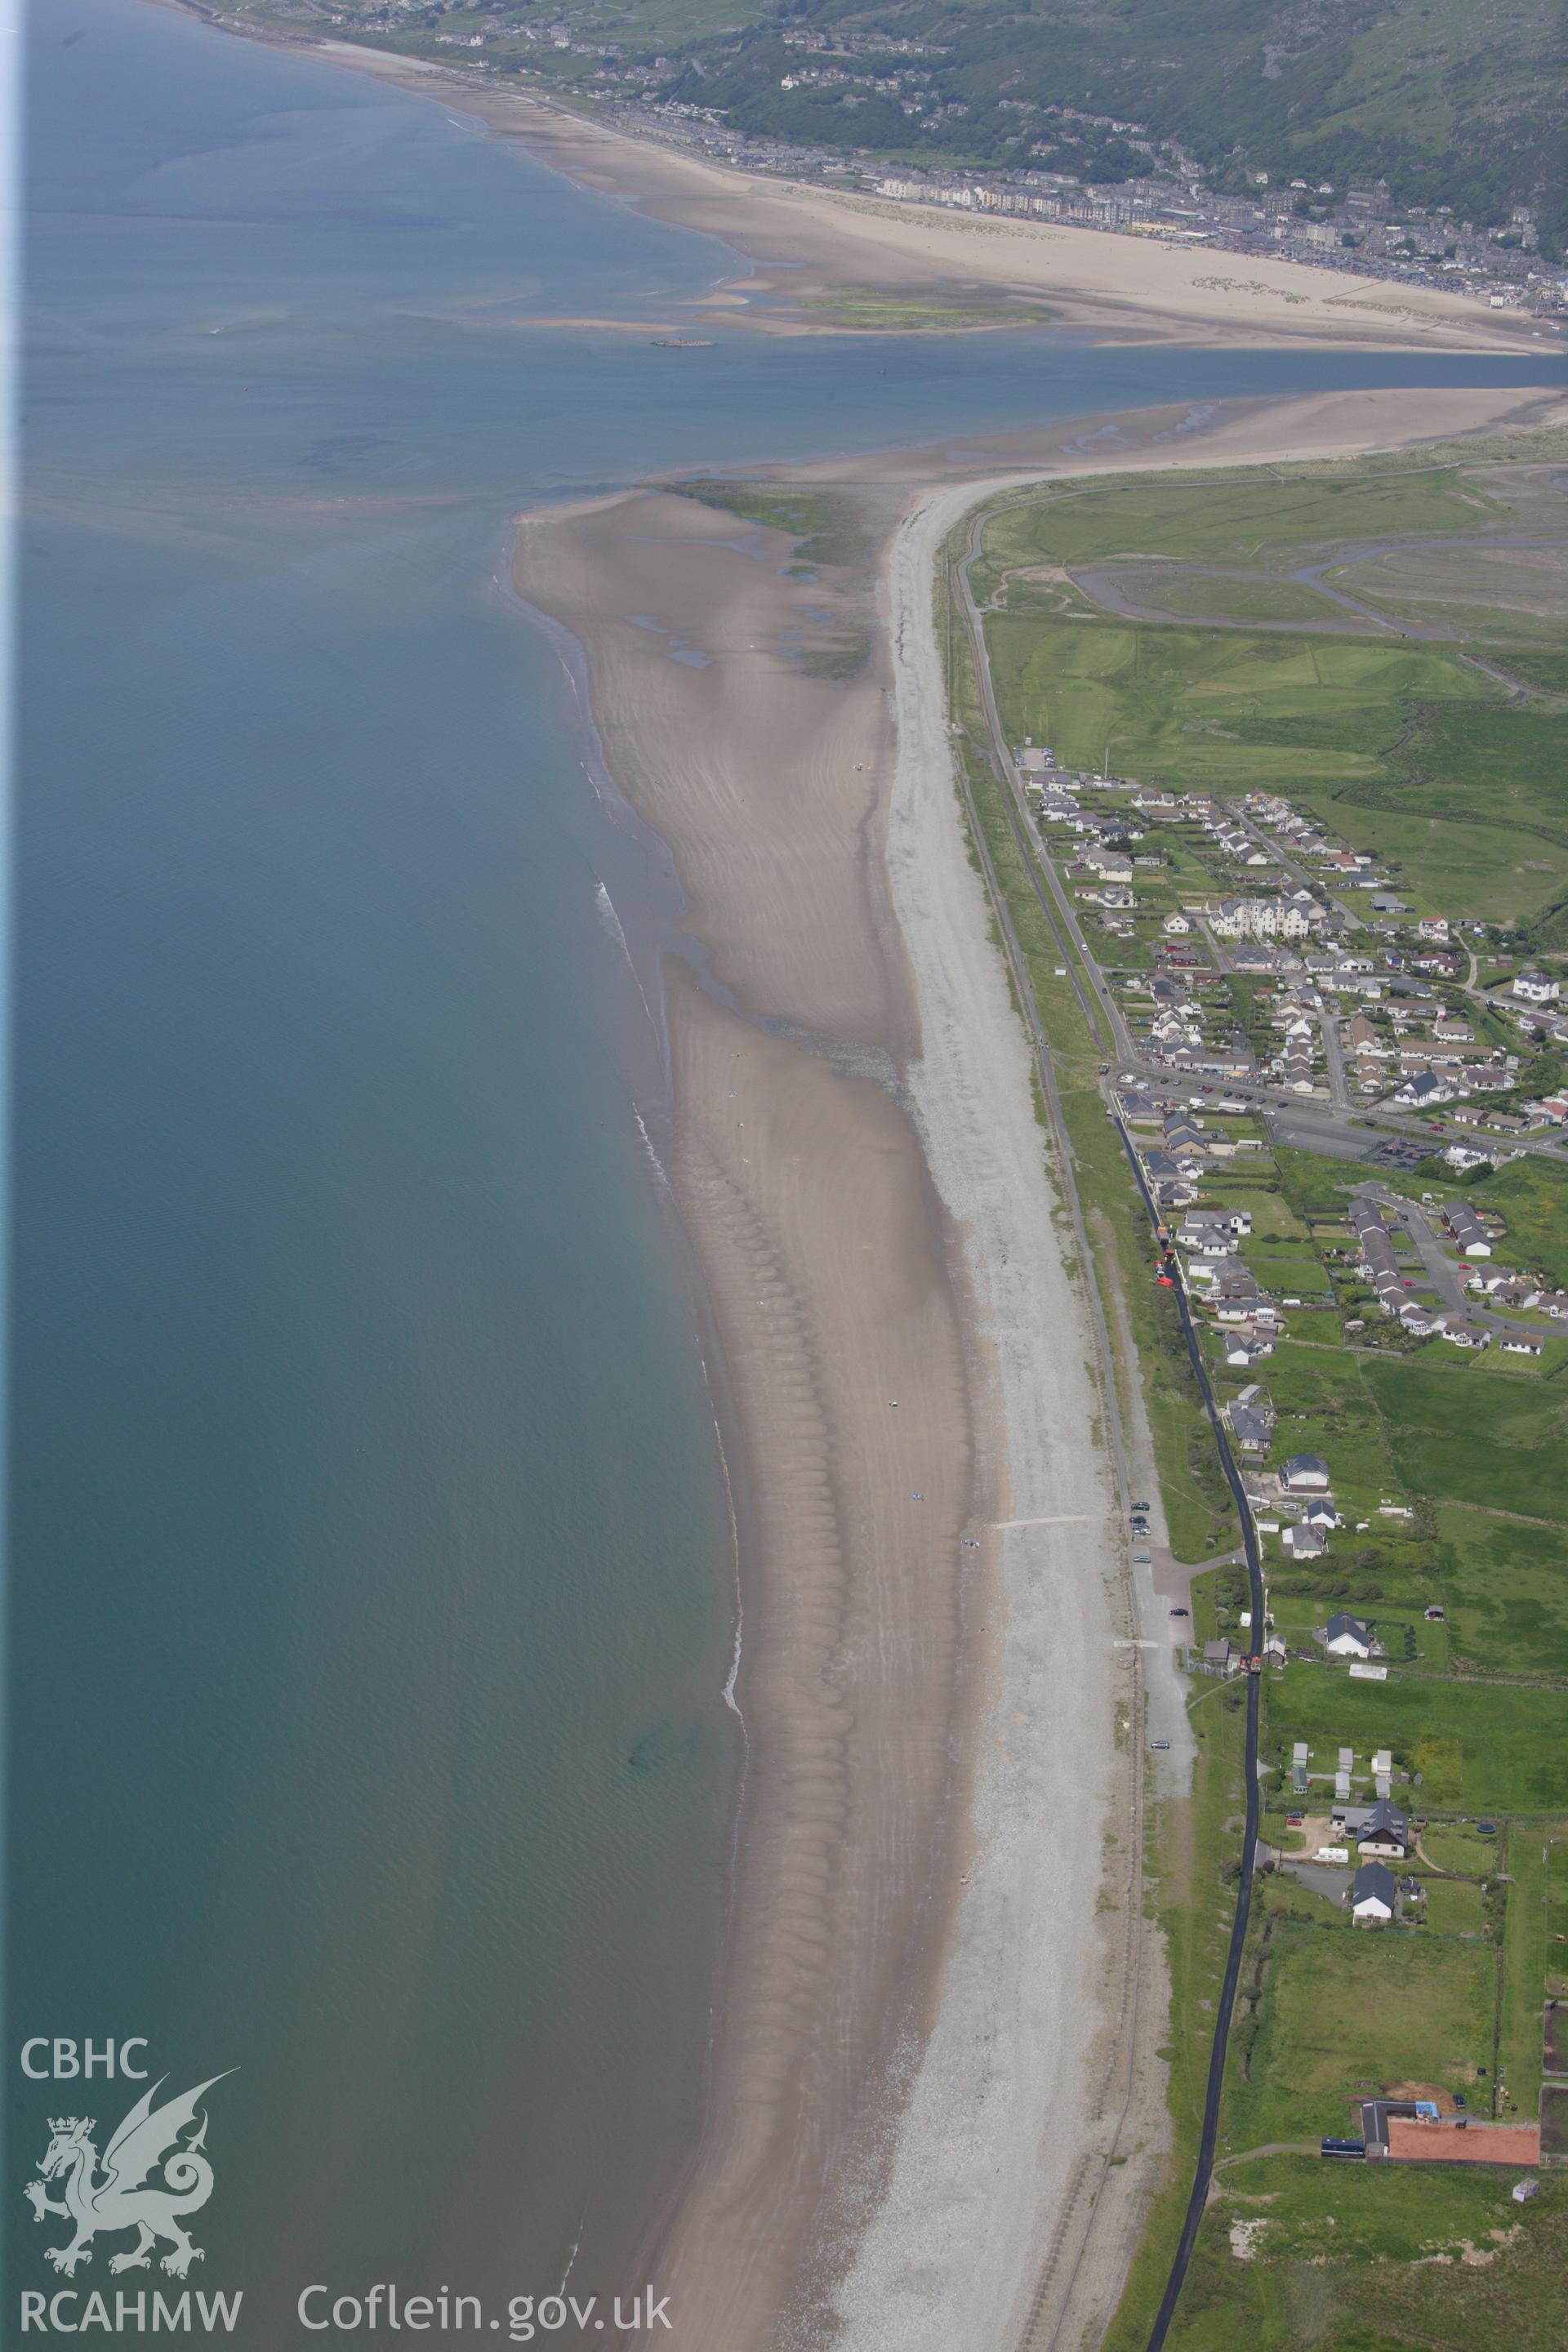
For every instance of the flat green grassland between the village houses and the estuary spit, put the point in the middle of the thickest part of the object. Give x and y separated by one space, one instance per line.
1412 751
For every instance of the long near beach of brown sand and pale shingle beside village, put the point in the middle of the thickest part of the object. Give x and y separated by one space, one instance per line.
930 2040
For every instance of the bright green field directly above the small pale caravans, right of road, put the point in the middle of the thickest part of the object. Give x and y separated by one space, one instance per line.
1477 1749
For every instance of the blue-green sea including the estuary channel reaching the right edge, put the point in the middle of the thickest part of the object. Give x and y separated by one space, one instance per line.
373 1735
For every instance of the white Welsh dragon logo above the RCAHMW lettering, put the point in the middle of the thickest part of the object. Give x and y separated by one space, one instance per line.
126 2200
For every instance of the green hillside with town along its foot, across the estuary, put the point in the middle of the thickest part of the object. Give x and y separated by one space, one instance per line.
1454 102
